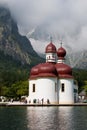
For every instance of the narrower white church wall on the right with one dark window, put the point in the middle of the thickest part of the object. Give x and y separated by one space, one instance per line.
66 97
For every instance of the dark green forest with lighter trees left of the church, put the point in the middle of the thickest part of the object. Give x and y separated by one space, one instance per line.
13 77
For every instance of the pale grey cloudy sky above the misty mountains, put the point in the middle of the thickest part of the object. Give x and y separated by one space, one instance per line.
66 19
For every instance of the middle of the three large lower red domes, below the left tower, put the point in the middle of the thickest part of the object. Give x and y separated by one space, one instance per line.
47 69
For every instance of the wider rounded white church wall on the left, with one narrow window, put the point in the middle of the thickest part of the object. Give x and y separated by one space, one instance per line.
45 88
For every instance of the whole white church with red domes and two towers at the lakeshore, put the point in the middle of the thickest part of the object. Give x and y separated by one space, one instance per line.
52 82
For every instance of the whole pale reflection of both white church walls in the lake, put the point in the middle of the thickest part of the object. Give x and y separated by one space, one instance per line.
49 118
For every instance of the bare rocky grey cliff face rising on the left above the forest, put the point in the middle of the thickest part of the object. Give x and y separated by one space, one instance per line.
12 43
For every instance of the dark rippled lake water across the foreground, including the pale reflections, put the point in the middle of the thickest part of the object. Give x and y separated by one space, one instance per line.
43 118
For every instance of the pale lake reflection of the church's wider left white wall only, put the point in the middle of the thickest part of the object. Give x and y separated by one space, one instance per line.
41 118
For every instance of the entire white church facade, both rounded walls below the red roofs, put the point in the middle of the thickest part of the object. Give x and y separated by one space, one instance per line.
58 91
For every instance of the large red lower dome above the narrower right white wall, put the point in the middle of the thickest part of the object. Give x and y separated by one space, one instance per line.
63 70
